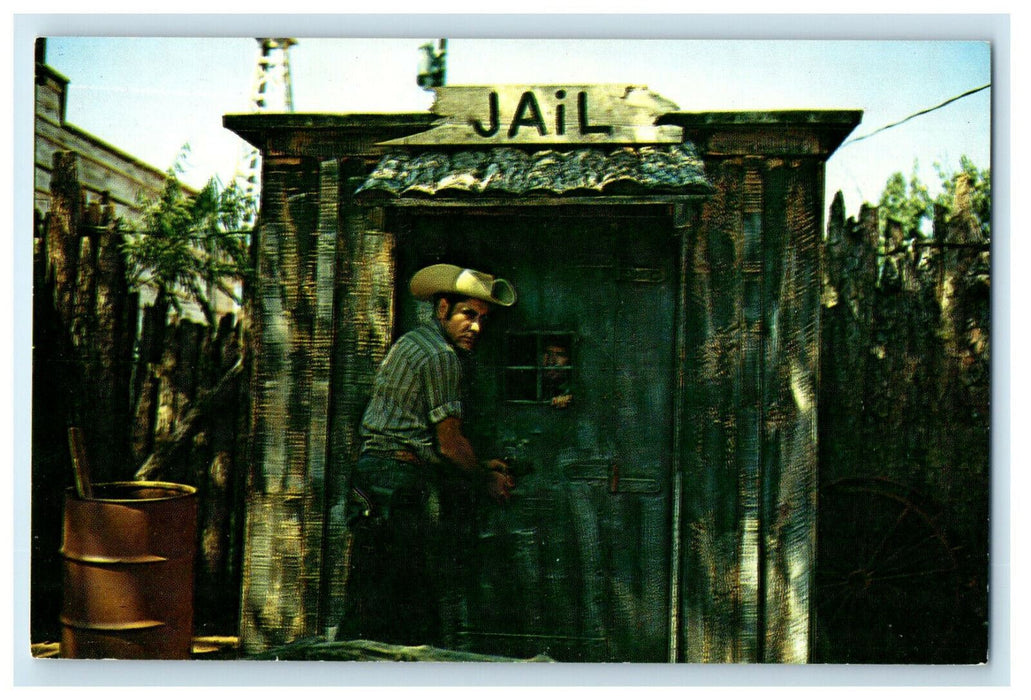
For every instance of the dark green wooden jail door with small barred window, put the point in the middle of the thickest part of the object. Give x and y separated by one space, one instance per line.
577 565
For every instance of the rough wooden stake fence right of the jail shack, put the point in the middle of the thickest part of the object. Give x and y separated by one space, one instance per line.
905 453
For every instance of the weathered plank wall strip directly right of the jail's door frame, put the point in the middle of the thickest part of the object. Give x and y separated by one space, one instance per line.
714 592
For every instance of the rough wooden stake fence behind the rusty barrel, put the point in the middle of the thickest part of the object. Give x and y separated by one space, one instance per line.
157 398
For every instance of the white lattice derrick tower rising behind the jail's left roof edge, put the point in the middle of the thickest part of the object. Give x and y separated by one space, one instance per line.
272 92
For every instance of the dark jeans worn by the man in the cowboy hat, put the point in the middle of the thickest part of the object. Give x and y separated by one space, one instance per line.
394 587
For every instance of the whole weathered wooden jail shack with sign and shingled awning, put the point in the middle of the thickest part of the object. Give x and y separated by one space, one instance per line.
671 514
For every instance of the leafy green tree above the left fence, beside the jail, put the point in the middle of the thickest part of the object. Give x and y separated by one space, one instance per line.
188 247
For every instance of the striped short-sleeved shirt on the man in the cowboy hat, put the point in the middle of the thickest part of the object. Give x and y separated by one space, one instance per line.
418 386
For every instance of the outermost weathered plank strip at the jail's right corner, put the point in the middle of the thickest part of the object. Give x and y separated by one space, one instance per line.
793 198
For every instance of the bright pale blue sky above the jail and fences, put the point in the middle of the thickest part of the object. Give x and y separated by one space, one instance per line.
150 96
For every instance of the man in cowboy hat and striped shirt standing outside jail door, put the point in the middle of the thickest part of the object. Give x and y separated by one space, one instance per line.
415 452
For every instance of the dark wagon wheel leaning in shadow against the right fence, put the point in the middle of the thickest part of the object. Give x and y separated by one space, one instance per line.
887 581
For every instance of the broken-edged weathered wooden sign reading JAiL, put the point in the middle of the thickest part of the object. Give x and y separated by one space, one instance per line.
554 115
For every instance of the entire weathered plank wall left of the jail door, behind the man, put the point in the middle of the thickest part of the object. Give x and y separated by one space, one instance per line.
322 324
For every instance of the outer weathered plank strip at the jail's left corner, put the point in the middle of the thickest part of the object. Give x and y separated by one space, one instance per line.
291 335
